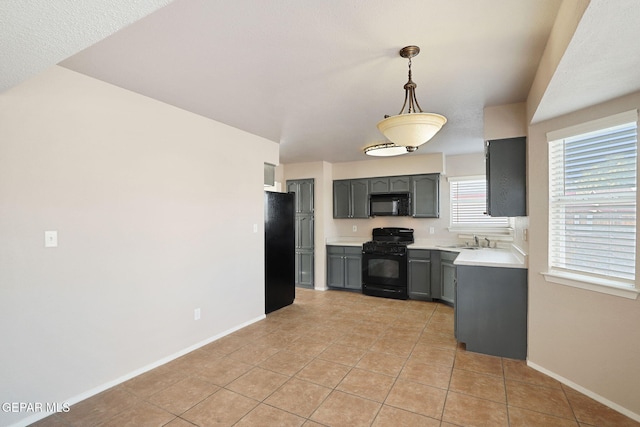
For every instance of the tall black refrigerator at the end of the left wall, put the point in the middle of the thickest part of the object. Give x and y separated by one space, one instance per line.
279 250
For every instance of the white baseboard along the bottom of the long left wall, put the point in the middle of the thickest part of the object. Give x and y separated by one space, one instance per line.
92 392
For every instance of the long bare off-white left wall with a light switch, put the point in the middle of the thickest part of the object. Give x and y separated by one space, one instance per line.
154 210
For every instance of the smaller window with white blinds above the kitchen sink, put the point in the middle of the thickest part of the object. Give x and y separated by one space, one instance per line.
469 204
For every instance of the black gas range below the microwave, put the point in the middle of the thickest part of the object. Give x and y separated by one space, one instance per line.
384 263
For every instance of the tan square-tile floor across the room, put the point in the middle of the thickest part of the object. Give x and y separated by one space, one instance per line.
341 359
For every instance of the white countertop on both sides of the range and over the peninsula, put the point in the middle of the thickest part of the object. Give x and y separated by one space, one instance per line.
507 257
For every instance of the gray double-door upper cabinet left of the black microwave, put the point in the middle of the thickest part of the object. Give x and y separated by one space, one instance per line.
351 198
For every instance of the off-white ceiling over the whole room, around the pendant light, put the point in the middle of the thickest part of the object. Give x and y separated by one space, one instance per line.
316 76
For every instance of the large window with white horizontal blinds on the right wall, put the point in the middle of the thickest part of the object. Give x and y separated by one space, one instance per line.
592 206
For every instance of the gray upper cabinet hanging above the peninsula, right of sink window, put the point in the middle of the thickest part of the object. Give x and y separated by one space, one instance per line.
506 164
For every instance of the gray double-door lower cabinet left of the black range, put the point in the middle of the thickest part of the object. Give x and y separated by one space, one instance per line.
344 267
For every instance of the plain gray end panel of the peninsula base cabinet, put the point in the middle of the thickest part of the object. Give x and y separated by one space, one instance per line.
491 310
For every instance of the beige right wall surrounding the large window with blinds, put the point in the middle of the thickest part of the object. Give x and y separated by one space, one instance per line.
588 339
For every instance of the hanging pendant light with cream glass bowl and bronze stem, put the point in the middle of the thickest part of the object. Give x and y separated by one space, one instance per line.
413 127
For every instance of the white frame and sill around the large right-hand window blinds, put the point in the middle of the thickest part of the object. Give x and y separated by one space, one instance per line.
576 278
